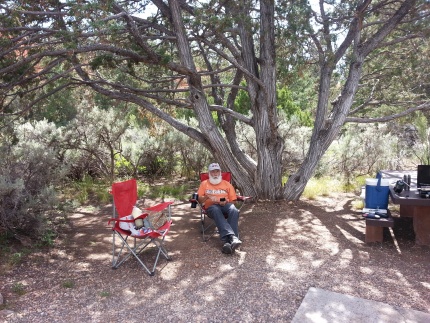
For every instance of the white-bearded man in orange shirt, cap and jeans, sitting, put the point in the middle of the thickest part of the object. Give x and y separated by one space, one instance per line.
216 195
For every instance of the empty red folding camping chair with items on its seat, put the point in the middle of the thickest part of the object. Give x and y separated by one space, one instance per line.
143 229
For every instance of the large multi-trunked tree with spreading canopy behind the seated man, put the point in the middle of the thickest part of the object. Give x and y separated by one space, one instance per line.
225 62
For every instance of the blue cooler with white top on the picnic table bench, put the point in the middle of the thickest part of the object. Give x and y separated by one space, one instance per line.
377 192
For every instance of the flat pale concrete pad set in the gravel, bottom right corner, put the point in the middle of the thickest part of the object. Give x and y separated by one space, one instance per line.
322 306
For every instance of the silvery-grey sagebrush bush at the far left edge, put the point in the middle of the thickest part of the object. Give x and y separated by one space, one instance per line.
29 170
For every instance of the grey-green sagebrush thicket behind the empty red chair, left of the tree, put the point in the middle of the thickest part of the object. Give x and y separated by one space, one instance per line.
45 148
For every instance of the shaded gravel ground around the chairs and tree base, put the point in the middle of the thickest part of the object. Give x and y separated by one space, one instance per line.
287 248
